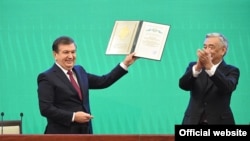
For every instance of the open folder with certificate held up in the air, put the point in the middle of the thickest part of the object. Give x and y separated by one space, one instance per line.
146 39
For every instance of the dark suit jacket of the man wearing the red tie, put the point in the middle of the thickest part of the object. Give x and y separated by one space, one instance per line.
58 99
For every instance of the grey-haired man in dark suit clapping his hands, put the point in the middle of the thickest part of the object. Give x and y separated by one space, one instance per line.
211 83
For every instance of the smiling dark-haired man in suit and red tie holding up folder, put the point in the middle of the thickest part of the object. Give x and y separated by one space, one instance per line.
67 108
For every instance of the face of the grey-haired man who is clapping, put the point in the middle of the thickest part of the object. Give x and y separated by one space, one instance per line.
215 48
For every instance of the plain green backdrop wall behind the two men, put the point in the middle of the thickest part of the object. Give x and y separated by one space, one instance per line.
145 101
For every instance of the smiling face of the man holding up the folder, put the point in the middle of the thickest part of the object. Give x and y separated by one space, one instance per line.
66 56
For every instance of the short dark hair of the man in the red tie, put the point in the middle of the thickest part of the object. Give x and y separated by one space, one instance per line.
63 40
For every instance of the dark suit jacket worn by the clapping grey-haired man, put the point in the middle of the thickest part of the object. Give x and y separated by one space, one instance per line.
210 95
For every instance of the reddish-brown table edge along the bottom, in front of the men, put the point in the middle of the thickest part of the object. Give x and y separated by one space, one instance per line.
145 137
